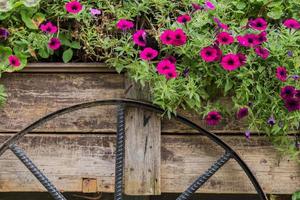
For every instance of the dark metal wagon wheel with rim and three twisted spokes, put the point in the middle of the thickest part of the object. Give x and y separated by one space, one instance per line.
119 165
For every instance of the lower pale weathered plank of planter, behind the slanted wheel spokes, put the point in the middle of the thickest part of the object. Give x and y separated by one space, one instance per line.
68 158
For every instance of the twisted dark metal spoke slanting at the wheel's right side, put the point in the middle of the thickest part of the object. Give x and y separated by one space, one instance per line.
187 194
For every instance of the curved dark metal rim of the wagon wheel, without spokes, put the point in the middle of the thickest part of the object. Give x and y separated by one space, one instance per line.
145 105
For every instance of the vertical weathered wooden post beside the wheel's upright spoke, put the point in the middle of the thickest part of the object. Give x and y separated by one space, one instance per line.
143 146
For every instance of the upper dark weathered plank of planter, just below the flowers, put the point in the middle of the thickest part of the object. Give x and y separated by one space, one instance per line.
33 95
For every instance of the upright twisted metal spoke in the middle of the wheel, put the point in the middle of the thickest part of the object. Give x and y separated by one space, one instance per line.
120 149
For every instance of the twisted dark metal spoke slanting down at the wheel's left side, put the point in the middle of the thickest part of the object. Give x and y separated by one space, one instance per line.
36 172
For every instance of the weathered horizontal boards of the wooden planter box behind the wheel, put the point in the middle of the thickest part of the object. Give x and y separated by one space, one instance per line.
78 148
